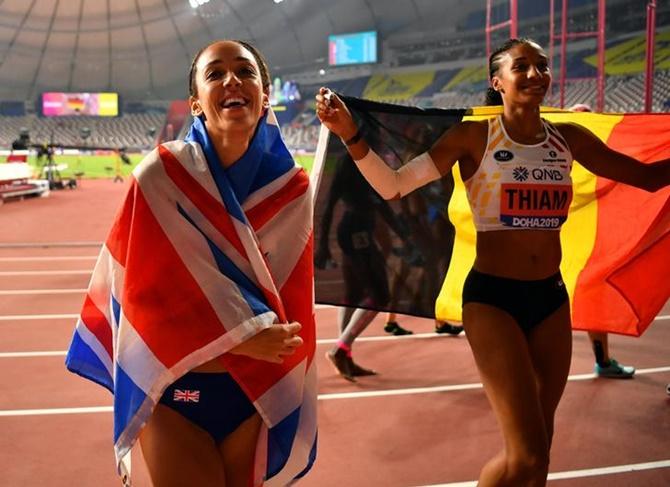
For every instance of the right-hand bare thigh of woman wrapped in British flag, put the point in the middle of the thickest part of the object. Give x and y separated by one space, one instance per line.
238 450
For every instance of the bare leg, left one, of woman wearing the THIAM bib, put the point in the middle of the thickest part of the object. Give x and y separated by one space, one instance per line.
501 352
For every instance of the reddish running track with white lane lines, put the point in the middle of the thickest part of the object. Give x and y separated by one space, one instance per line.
423 421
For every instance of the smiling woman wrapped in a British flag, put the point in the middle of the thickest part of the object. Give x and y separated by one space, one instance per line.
219 315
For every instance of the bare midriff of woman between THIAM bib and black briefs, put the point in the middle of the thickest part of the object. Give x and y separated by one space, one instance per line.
519 254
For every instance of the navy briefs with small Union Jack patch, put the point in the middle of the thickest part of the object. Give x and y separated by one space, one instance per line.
212 401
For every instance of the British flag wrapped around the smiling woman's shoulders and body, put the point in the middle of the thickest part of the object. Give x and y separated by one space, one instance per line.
199 259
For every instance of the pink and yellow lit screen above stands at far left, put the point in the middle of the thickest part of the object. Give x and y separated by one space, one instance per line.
69 104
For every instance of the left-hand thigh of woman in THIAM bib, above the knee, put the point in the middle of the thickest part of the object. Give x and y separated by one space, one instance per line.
501 353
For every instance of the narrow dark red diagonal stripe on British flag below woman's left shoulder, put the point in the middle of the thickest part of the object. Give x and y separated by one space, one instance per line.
209 206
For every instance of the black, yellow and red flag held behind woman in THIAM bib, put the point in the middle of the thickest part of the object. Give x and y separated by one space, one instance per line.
412 256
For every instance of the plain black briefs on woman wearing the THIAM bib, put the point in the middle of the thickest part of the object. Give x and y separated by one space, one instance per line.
529 302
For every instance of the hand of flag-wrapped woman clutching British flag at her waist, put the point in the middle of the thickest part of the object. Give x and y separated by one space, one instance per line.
272 344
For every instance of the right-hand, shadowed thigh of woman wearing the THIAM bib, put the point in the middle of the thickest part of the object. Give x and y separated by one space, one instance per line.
550 345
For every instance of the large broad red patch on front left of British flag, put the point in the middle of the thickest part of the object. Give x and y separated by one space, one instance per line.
156 308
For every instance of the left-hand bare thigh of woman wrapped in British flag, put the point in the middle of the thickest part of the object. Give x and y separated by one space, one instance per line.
178 453
